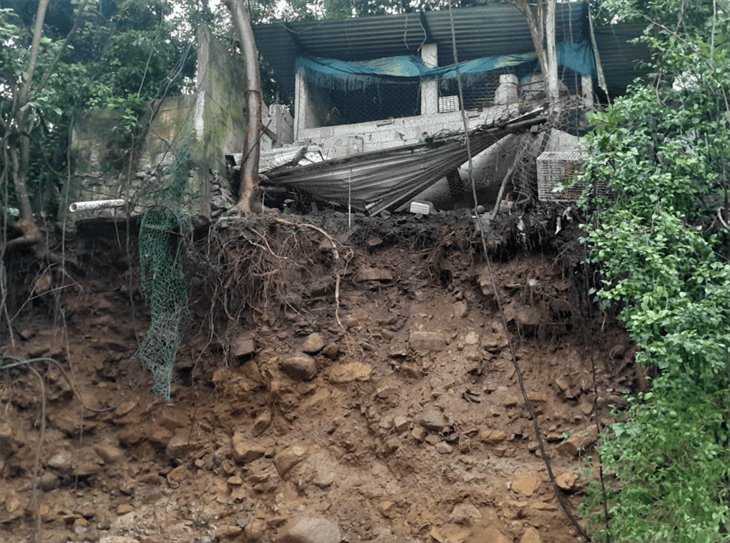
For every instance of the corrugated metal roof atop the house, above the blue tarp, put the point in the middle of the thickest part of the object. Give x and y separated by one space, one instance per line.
480 31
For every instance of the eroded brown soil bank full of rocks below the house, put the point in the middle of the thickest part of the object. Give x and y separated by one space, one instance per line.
412 429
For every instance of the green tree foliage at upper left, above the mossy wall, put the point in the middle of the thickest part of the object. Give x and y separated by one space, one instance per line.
111 54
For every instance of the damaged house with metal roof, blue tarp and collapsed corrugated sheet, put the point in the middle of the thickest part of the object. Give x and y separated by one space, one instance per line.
388 83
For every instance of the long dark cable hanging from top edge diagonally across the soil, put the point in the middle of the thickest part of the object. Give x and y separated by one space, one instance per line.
518 372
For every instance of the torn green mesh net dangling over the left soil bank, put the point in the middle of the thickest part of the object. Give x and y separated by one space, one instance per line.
162 276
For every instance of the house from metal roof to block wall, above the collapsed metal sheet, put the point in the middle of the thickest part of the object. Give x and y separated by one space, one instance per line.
371 83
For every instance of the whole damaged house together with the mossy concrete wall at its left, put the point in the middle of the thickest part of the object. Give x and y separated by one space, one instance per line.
376 111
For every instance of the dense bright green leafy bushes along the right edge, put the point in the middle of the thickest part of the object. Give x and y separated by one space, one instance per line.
663 151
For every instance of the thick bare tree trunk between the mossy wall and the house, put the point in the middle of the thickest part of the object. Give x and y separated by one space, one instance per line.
251 142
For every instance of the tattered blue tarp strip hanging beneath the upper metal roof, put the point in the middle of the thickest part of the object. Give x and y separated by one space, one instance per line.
333 73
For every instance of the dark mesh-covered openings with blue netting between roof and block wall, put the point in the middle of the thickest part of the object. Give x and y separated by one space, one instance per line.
390 88
